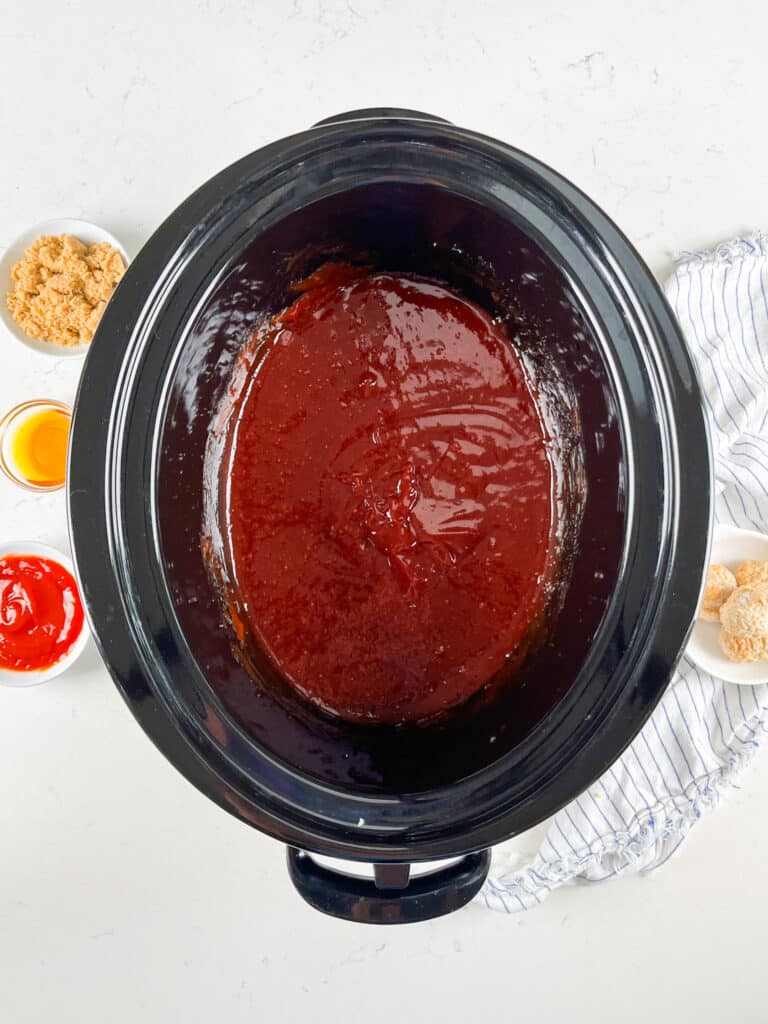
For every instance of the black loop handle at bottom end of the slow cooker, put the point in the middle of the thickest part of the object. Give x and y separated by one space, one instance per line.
392 898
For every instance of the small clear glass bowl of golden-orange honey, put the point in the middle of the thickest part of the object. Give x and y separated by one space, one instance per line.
34 439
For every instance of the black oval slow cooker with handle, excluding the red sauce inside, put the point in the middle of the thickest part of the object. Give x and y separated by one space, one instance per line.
413 193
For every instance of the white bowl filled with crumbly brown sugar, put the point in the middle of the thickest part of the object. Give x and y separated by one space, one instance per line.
56 280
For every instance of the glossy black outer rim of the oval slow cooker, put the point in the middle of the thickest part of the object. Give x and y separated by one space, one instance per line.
95 518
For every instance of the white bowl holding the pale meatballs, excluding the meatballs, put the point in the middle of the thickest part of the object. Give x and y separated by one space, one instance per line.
731 546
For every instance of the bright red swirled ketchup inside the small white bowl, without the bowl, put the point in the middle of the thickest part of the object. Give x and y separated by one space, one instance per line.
41 615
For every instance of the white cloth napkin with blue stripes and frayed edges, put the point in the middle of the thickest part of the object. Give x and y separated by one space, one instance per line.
704 732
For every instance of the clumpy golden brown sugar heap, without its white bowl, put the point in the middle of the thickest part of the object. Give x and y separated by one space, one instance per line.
62 287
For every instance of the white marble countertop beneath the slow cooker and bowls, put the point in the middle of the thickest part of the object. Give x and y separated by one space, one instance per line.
124 895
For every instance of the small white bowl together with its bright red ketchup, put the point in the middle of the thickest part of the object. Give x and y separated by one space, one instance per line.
42 625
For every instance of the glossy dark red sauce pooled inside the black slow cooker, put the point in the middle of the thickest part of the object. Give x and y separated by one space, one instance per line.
388 497
